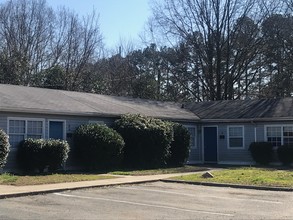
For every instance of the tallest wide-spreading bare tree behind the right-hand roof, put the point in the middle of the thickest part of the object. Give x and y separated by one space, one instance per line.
213 30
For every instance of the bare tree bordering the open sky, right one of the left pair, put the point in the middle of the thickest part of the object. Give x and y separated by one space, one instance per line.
76 43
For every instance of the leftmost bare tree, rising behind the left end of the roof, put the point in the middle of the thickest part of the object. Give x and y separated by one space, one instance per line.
25 33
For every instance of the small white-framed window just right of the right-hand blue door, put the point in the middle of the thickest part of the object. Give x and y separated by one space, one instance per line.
235 134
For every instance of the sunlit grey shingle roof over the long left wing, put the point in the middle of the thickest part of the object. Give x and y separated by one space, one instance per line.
48 101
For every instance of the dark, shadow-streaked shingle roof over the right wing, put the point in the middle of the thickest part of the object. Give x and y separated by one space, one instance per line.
262 109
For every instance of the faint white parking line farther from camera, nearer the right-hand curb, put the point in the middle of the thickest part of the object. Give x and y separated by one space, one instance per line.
189 195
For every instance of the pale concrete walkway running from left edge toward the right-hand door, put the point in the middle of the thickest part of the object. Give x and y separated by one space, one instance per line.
7 191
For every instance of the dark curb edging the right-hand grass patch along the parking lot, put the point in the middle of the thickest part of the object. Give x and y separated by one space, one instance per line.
267 188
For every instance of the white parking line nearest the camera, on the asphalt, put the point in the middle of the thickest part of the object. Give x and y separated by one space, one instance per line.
144 204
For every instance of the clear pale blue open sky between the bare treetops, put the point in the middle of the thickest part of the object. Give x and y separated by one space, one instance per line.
119 19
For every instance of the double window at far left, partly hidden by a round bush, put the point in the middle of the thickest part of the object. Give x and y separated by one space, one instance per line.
20 129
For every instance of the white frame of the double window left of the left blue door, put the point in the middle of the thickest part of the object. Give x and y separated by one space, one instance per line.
25 134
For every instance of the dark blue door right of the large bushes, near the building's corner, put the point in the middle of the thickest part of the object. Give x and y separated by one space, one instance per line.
210 144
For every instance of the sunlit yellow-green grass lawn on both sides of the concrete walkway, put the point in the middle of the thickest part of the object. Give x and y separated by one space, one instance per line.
247 176
